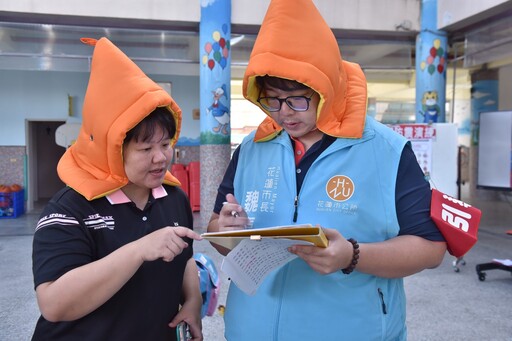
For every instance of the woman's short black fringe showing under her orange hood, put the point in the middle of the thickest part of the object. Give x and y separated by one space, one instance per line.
160 117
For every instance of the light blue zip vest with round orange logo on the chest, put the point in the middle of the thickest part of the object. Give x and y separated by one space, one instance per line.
349 187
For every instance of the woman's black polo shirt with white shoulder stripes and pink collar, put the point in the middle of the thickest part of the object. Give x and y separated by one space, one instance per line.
73 232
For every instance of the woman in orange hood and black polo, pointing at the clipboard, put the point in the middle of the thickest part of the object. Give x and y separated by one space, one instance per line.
112 252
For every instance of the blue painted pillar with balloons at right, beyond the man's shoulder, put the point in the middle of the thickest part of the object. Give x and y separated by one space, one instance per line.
431 45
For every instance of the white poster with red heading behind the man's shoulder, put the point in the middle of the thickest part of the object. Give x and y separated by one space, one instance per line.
421 136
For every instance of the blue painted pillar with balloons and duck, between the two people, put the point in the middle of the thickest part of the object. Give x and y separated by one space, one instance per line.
215 93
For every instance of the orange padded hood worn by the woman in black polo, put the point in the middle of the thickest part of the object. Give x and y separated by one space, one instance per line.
119 95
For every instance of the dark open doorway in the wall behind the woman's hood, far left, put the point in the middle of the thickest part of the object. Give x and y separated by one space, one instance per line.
43 154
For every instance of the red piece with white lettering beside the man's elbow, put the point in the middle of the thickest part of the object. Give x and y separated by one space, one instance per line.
457 221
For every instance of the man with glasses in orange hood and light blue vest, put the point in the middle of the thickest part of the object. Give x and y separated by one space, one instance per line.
318 159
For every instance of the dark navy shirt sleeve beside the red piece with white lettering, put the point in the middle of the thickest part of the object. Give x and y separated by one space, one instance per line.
413 195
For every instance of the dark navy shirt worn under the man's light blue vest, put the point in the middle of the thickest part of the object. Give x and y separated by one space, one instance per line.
411 187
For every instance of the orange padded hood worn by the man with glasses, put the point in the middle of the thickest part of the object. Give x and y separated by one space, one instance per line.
295 42
